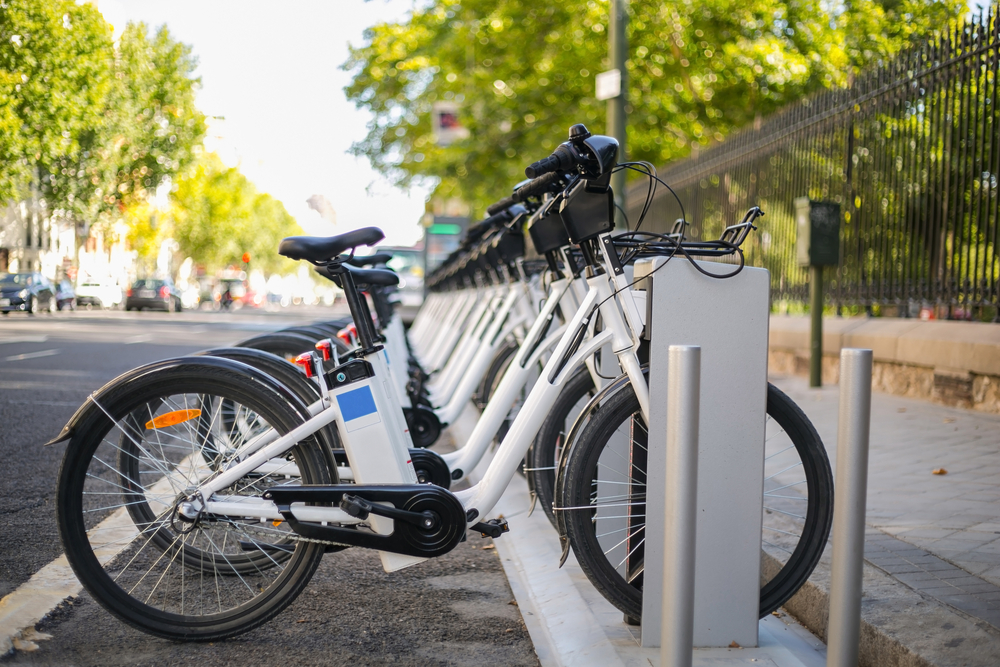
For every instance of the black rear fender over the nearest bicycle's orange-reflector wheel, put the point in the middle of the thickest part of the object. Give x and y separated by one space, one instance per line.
90 406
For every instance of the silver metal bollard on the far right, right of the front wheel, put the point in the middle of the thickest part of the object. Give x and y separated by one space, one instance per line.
853 429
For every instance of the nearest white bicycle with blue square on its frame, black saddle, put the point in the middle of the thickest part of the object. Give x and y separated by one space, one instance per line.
196 500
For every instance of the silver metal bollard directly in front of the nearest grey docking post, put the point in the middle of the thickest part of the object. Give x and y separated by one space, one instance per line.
683 391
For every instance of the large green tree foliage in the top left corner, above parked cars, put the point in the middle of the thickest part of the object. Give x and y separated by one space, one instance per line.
94 126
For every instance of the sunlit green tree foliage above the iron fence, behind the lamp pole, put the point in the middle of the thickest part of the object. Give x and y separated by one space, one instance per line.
522 73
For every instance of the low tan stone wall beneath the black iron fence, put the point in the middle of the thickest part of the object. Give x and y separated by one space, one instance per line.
953 363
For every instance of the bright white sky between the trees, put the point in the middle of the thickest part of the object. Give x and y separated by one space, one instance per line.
271 71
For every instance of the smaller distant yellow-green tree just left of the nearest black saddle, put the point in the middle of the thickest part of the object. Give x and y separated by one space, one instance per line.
218 215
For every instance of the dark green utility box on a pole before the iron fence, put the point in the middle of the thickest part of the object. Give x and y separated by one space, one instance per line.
817 244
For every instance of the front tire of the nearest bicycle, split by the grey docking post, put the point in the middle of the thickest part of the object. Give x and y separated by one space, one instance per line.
621 585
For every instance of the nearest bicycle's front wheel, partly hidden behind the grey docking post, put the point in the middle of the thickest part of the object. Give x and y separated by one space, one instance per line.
800 552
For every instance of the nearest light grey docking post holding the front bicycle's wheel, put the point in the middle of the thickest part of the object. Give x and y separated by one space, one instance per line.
728 320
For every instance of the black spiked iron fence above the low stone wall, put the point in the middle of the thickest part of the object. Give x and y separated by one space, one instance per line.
910 151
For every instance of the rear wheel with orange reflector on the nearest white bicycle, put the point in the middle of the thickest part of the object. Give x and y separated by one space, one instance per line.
197 585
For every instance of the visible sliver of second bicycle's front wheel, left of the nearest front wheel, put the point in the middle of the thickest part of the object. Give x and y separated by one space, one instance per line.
546 449
